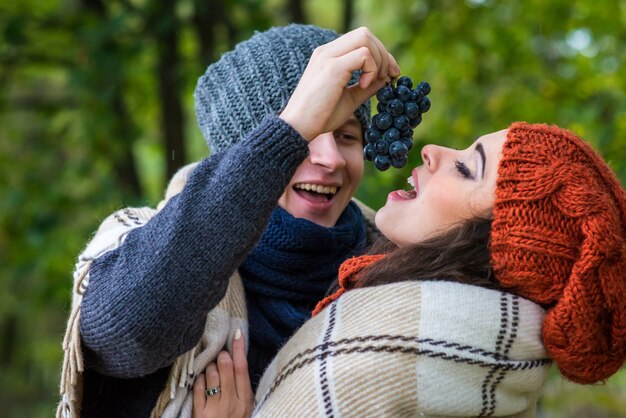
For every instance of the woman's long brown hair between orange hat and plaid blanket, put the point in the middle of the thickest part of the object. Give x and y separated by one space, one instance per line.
460 255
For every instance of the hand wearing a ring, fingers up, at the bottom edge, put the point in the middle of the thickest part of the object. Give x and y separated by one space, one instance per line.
230 375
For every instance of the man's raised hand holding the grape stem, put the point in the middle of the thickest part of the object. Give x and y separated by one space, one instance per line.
321 102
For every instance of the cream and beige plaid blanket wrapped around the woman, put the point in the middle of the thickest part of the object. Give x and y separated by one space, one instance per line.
411 349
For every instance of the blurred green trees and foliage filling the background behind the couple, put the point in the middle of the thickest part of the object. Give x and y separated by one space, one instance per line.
83 121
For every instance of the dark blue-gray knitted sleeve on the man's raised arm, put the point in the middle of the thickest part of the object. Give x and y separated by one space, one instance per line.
147 299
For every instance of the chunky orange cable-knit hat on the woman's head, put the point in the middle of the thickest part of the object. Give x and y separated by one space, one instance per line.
559 238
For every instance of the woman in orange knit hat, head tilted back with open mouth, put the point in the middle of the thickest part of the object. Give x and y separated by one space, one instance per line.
502 258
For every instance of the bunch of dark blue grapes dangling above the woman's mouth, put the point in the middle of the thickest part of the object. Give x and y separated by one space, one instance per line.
400 109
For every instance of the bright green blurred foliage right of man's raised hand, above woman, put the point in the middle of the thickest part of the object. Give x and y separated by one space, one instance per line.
494 62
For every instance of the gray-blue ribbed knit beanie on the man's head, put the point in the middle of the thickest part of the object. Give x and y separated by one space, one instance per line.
255 79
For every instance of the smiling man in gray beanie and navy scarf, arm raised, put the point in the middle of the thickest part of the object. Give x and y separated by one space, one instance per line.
158 292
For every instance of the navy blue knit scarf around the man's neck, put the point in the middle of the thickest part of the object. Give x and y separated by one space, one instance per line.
291 269
